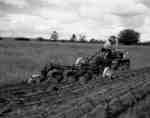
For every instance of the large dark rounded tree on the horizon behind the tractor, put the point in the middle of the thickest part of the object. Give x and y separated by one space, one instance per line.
128 37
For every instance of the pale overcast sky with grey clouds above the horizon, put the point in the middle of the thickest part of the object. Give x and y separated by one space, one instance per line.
94 18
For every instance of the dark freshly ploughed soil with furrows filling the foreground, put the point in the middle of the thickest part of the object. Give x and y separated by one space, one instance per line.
125 96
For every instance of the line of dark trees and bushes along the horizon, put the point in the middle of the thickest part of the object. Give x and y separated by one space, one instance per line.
126 37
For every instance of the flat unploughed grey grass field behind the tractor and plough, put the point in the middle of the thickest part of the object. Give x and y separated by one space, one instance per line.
19 59
